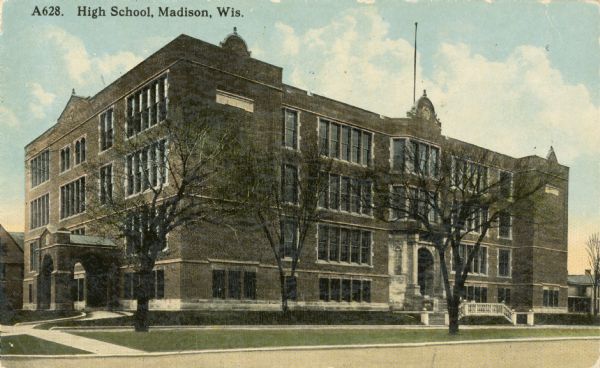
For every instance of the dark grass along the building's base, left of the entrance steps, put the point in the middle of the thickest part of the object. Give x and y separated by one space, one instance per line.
199 318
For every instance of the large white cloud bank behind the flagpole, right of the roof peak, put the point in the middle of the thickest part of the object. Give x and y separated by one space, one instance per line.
522 101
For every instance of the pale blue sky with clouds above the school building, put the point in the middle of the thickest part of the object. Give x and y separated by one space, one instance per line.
515 77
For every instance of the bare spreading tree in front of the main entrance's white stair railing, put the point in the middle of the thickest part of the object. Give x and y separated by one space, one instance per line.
455 198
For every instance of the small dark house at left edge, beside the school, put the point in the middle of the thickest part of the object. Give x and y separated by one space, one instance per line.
11 269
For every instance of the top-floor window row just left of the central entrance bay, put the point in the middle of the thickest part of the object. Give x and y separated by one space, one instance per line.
345 143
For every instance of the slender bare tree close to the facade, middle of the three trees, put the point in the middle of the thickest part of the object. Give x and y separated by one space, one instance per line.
277 190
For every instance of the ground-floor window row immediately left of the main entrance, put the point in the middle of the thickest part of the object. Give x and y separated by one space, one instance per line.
346 290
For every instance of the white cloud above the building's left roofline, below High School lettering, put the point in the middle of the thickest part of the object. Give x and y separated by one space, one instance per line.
80 64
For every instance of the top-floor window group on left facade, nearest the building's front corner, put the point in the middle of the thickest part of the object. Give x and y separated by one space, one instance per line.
147 106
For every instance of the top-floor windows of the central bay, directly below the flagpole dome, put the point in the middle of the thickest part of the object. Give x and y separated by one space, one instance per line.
415 156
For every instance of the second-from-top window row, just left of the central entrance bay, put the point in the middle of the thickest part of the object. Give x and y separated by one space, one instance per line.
347 194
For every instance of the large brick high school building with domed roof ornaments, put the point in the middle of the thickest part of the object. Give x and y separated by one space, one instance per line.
353 260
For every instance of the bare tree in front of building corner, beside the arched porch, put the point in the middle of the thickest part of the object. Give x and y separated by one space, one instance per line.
160 179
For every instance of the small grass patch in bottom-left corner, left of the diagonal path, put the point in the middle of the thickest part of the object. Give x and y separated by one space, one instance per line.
25 344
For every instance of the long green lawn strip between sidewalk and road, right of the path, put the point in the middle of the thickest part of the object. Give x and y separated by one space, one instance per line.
176 340
